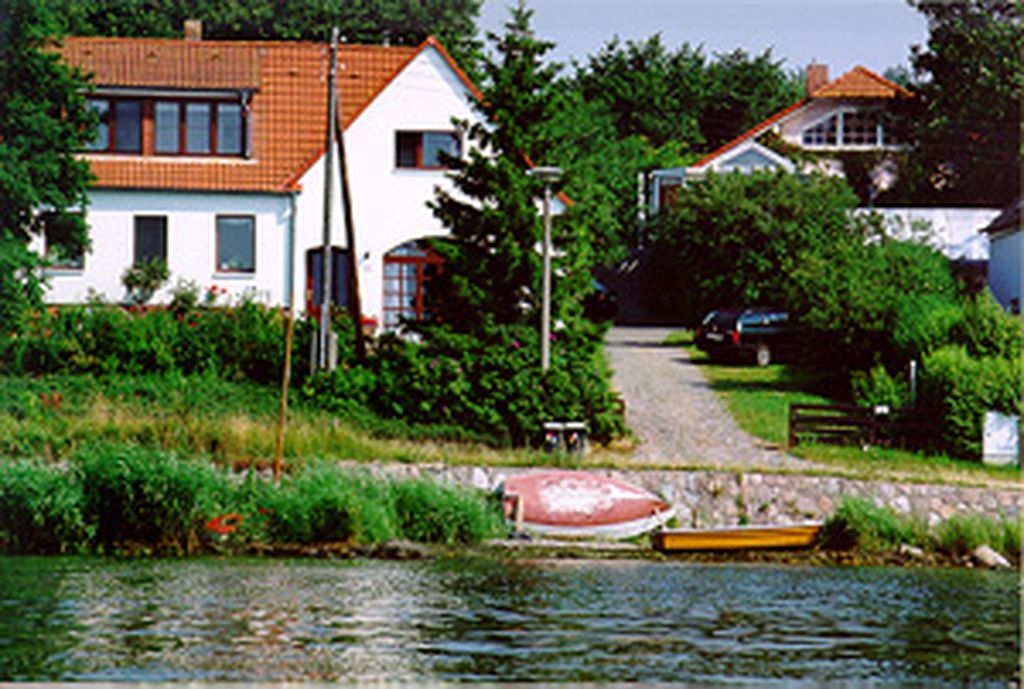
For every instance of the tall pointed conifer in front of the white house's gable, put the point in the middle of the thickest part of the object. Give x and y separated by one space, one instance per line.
492 275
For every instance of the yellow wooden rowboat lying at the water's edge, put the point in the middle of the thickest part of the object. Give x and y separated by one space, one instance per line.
738 538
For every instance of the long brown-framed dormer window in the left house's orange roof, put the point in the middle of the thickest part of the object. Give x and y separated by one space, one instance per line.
169 126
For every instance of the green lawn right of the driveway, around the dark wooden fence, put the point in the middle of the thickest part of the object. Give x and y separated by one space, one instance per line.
759 399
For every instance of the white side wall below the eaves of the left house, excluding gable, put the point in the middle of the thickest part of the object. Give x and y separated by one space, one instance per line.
191 244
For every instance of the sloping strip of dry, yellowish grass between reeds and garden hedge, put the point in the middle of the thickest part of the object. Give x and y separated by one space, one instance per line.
233 423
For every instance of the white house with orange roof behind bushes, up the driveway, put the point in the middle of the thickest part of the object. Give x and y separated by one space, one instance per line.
848 114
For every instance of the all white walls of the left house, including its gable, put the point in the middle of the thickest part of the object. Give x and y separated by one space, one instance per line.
390 206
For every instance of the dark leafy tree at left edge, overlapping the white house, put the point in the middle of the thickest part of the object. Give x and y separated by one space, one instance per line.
45 120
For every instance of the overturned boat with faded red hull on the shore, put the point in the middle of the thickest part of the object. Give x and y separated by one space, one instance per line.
579 505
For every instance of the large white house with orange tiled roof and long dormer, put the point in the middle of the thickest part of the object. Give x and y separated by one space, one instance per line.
210 156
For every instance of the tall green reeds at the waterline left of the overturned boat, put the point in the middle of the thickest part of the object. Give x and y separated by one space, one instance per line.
129 500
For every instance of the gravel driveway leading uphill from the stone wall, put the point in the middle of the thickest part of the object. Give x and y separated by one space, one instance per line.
673 412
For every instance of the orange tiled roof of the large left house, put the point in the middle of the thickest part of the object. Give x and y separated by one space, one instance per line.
289 104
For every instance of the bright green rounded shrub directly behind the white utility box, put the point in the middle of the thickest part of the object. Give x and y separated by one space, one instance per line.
957 390
